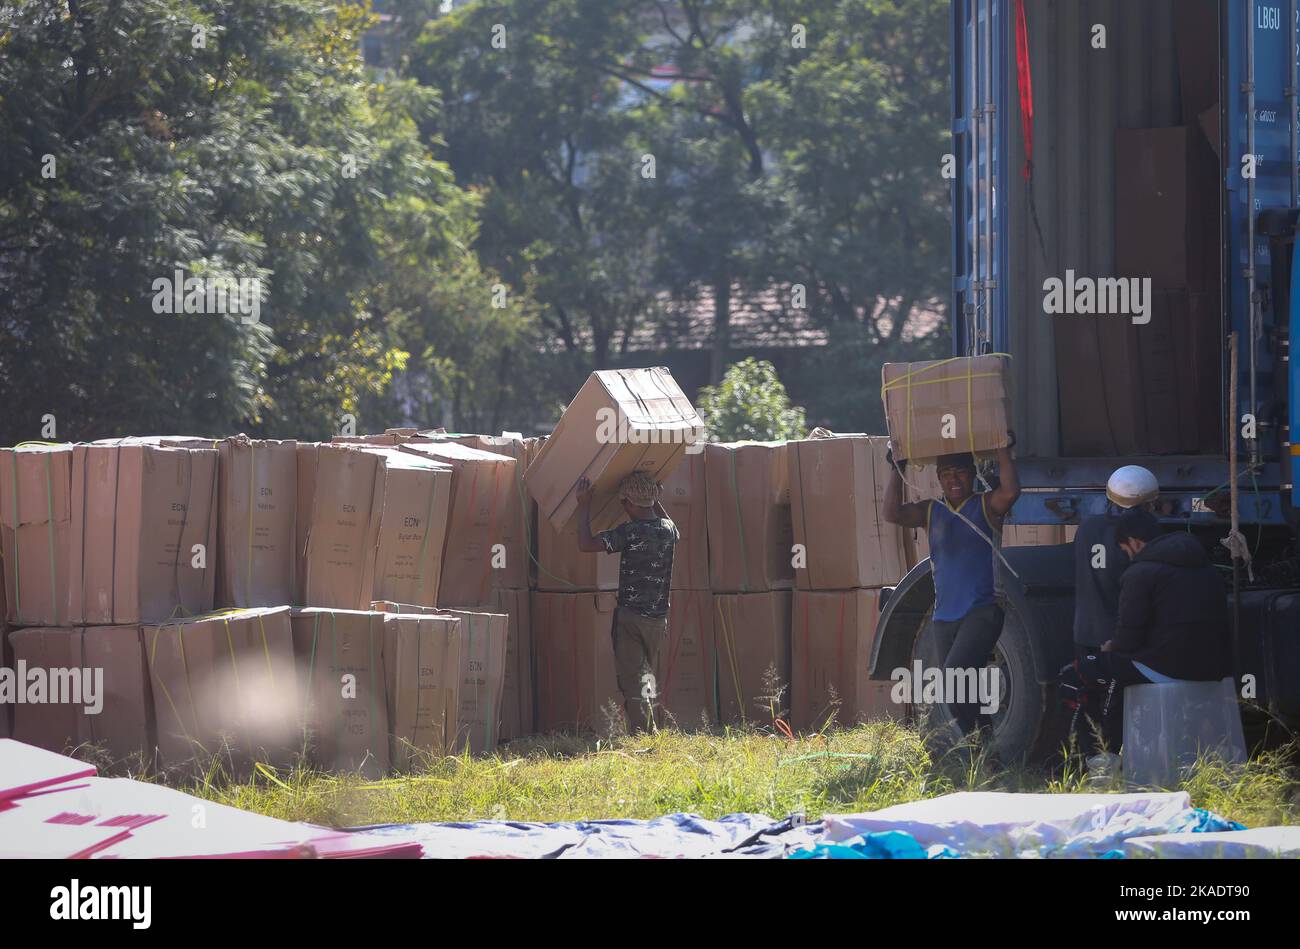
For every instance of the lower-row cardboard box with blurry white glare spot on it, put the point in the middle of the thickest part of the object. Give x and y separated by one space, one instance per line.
227 684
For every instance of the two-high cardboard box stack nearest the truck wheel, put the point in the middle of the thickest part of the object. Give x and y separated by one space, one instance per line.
846 553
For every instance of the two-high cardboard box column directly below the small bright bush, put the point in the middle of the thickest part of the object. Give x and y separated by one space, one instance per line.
752 571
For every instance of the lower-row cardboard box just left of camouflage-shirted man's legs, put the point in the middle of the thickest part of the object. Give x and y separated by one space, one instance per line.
573 639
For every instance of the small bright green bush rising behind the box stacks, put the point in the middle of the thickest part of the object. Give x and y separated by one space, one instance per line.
751 405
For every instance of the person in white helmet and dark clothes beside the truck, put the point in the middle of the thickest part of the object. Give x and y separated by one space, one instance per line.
1087 686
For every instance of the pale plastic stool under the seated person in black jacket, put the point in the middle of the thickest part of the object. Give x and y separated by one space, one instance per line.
1169 725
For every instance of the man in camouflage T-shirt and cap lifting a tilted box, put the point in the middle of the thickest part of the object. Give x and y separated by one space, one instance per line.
645 579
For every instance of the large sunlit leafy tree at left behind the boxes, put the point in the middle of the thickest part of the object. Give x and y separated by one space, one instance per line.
219 138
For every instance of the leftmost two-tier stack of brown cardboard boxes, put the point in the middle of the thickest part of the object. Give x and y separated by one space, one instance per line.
101 540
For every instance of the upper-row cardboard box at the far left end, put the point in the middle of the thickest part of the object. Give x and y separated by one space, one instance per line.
36 530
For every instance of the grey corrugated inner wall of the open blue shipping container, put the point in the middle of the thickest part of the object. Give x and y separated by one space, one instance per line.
1081 97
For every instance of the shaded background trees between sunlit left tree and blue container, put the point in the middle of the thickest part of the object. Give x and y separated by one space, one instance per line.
796 142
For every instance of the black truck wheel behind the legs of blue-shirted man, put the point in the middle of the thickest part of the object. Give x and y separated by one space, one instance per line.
1024 703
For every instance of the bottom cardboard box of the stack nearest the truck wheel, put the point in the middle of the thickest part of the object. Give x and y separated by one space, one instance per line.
831 644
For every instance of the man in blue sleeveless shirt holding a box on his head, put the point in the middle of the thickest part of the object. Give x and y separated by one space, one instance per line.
964 528
